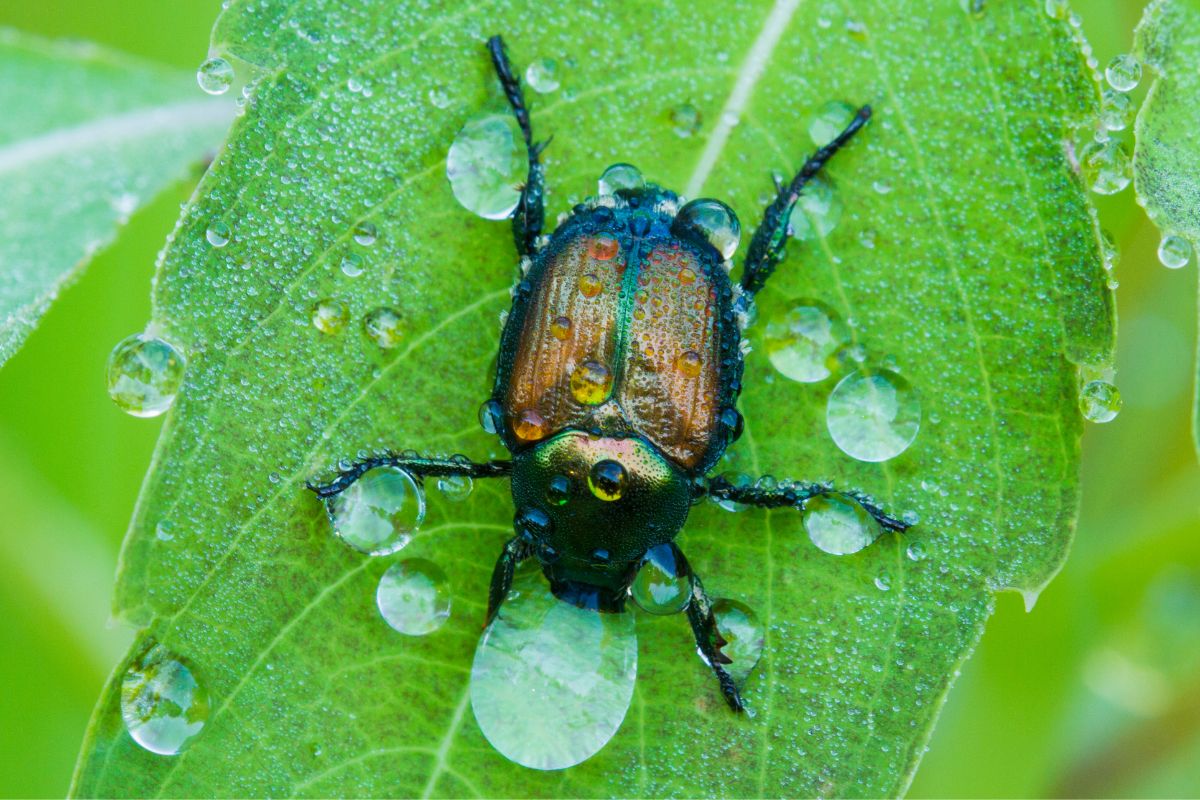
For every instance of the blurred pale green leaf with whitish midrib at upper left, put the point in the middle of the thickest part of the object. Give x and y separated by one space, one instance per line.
88 137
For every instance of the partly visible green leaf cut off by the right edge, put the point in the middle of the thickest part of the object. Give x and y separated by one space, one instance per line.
1167 152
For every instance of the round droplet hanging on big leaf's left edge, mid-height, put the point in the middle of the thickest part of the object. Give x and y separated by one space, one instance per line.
145 375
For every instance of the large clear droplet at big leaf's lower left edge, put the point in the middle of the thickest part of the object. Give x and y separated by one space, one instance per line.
163 705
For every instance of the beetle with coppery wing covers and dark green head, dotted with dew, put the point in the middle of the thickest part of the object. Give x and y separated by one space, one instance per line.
616 393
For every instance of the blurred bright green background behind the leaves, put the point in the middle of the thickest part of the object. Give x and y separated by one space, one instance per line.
1094 694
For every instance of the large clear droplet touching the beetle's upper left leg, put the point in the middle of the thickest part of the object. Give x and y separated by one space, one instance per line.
487 166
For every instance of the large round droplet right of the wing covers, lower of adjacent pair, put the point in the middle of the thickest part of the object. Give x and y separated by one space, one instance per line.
873 416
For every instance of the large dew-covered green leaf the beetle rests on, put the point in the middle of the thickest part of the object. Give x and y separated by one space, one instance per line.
965 251
